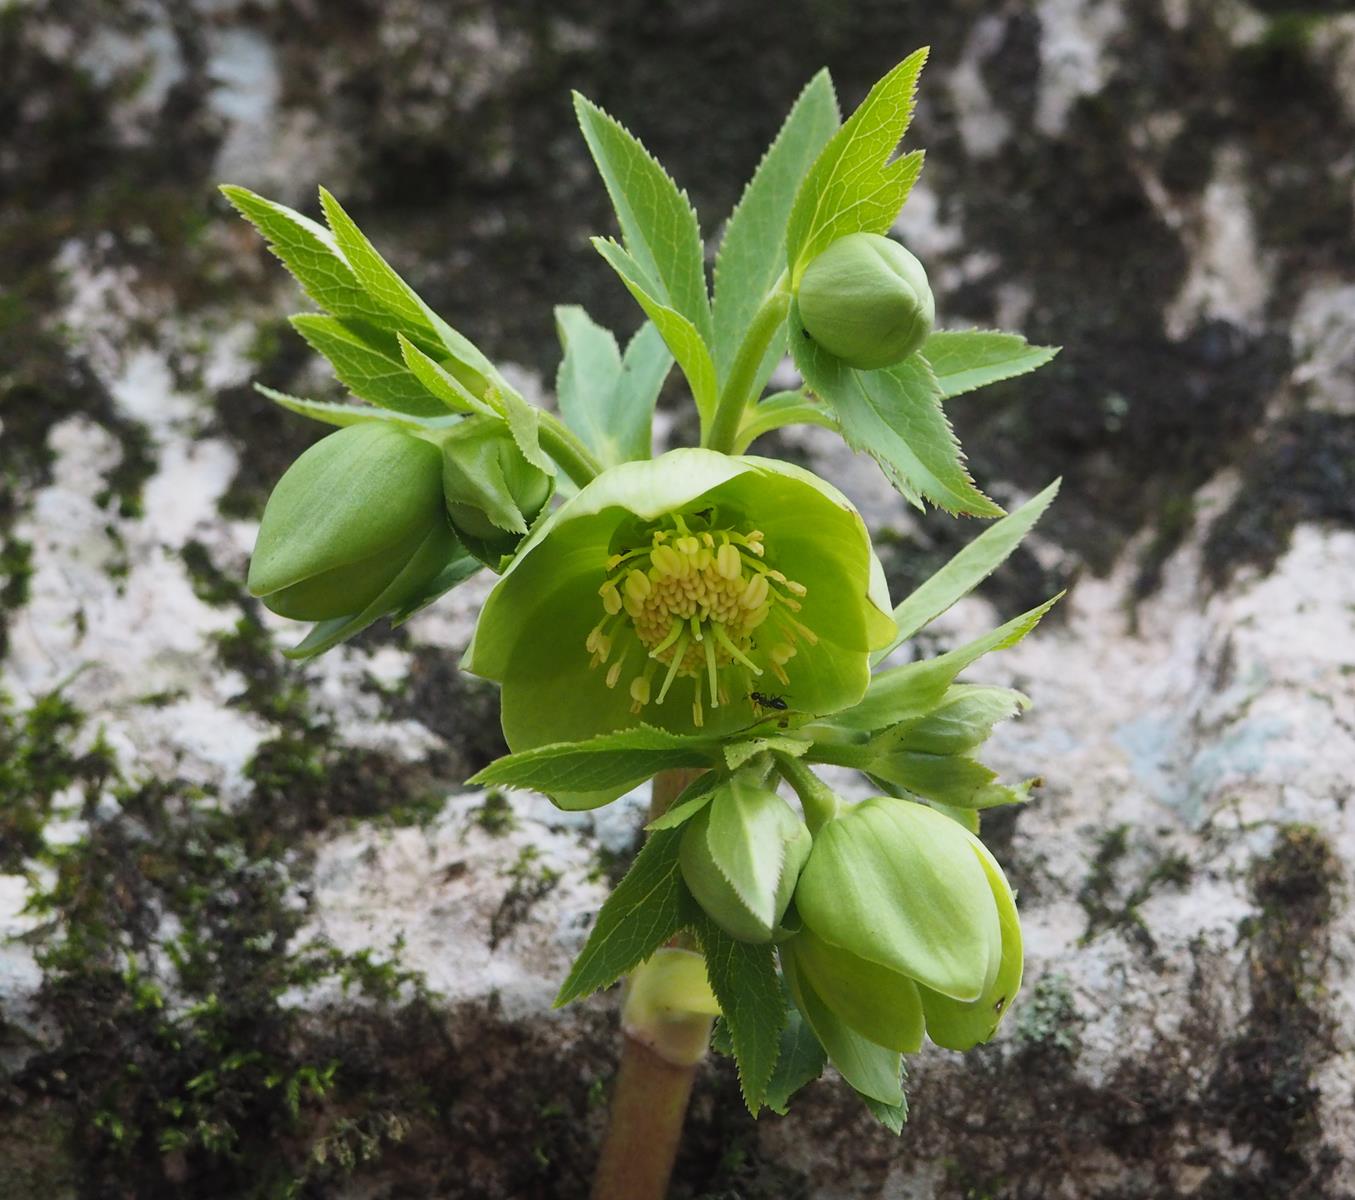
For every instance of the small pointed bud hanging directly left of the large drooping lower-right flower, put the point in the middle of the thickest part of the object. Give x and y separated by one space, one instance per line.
742 855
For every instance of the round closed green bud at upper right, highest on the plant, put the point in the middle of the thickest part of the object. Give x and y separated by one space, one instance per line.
867 300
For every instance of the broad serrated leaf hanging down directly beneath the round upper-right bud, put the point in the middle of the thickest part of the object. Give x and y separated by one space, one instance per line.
896 416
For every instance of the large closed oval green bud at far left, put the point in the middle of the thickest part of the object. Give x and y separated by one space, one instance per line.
356 526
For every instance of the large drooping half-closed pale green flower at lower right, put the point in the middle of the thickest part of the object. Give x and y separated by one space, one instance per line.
909 923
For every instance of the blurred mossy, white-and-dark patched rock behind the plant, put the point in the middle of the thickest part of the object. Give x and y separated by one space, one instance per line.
255 937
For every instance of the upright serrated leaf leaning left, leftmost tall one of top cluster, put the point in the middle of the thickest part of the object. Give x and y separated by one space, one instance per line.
658 221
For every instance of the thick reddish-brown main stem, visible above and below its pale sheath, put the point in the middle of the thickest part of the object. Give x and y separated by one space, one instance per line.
650 1099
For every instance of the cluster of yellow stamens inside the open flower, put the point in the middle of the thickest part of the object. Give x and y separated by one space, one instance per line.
699 605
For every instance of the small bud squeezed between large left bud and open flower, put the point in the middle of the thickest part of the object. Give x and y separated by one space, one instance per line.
493 492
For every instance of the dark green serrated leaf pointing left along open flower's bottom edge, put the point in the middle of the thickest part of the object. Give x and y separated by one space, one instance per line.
612 760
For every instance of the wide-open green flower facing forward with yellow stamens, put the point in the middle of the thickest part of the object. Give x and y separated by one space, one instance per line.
670 590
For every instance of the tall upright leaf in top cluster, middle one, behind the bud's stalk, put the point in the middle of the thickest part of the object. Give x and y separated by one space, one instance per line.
753 251
